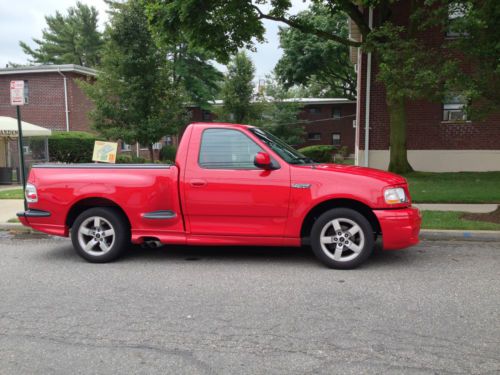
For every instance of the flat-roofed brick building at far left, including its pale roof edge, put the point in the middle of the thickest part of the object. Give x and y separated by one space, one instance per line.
55 102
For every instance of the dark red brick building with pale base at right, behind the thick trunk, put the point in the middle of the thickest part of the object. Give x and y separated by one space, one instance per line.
439 136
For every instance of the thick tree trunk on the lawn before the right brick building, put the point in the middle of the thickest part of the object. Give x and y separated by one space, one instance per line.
397 120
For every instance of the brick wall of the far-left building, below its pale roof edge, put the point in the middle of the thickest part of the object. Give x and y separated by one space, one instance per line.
46 101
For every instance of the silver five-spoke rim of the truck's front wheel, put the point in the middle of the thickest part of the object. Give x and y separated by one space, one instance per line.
342 239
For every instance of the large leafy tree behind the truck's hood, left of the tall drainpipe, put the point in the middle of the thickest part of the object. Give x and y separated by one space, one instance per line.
309 60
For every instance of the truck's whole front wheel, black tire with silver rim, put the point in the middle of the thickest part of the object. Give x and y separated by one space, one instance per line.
354 248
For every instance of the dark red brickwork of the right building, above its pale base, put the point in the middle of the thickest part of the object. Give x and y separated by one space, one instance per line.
425 128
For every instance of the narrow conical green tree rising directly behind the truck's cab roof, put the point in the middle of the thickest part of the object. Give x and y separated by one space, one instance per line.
237 89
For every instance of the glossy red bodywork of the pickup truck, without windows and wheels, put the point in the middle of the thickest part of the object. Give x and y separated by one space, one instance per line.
219 206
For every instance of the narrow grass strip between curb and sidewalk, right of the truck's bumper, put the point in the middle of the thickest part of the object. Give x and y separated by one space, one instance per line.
452 220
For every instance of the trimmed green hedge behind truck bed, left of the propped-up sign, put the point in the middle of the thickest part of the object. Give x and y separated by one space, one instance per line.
71 147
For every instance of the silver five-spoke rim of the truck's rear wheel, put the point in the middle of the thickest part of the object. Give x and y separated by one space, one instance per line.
96 236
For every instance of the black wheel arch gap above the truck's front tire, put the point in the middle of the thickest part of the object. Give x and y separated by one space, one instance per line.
315 212
